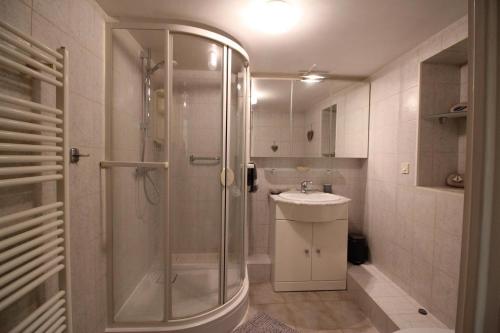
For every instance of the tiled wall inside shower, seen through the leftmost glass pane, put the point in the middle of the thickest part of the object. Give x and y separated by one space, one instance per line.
137 226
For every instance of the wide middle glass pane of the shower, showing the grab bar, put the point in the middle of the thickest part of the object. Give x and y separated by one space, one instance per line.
196 163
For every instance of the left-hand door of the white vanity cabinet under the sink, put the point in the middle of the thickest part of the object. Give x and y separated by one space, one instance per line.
292 251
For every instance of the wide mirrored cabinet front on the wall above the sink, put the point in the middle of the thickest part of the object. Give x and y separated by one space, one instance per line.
291 118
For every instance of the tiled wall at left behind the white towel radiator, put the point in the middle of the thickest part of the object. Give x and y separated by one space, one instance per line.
78 25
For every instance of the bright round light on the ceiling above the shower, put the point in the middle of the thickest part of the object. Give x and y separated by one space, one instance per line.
272 16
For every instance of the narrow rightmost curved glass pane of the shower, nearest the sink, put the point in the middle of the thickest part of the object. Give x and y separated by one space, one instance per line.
235 176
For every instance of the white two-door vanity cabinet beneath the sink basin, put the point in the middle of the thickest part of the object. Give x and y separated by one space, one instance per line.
309 247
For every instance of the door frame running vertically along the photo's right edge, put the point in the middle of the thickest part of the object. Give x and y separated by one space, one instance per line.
479 291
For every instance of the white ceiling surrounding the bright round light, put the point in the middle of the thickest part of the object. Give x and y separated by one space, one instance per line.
351 37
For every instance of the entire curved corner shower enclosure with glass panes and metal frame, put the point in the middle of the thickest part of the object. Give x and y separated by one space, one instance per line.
177 99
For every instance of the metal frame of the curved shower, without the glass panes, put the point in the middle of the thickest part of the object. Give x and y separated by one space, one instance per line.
228 313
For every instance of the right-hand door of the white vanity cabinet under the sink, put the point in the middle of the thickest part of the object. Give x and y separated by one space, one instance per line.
329 251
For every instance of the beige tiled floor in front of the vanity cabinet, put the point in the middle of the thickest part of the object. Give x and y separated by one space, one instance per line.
319 311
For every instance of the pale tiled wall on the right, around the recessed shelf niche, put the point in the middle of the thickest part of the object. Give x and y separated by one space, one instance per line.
414 233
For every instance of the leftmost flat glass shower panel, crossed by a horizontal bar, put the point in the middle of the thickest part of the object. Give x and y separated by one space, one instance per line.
136 174
